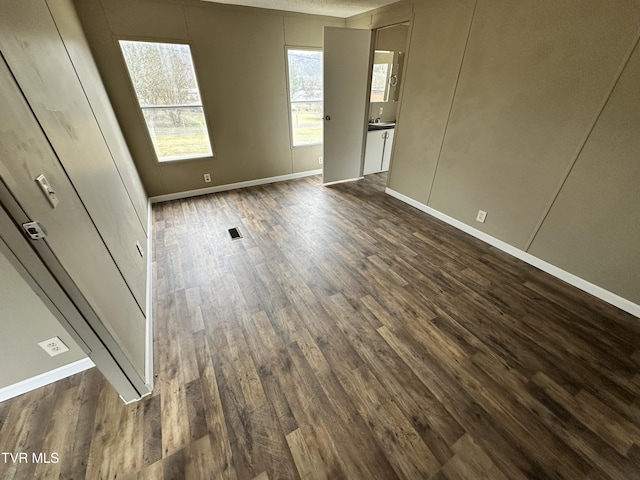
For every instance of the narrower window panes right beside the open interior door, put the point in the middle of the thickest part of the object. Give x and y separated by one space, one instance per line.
305 96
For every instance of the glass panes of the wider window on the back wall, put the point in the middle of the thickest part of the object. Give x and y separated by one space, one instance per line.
165 83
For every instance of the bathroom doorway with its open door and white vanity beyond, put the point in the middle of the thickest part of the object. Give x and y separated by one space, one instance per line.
351 117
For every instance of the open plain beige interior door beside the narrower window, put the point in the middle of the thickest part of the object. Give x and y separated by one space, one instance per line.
346 78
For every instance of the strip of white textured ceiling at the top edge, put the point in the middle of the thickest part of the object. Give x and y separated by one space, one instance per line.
334 8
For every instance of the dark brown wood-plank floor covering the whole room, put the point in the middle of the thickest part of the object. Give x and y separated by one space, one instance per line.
347 335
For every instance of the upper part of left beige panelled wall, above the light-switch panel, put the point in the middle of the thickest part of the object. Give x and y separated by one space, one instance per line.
38 59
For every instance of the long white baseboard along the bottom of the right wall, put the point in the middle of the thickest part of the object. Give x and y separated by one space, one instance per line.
570 278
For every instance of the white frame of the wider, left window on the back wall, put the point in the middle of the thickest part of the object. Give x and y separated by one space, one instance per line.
141 109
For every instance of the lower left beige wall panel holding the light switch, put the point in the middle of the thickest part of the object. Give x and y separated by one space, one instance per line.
77 251
